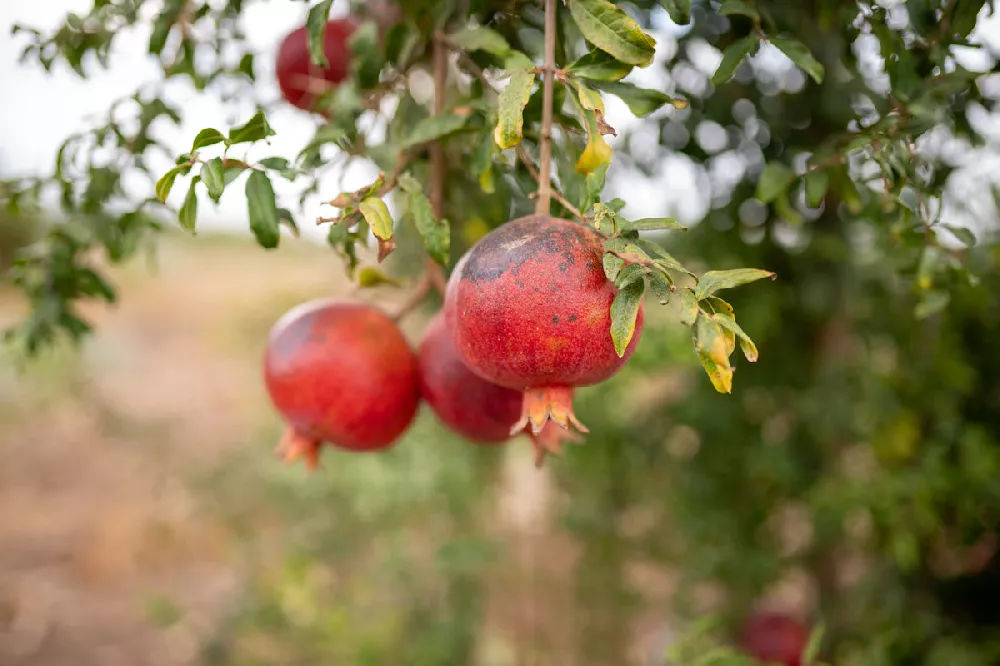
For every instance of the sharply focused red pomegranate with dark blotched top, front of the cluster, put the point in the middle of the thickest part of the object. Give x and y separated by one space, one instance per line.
529 308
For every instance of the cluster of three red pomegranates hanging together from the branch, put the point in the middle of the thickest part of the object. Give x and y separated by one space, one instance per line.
526 319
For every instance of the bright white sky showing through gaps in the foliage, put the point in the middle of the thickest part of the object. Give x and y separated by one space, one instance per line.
43 108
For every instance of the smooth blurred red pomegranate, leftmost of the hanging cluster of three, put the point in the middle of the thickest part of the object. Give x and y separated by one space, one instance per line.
340 373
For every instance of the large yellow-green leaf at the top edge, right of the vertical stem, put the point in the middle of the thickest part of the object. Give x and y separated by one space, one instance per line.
612 30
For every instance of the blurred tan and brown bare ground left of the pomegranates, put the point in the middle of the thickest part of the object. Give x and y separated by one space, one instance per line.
96 518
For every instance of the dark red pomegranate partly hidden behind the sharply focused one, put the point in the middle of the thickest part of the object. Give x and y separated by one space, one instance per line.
479 410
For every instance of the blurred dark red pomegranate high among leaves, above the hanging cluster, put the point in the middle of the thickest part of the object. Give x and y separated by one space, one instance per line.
302 82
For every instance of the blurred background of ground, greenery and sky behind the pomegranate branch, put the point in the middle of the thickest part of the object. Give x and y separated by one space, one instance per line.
852 479
